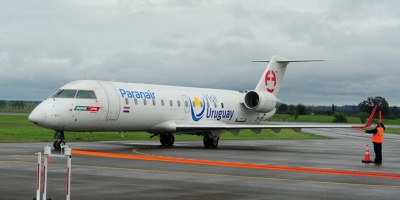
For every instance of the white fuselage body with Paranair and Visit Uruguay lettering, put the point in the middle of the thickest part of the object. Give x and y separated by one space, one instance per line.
119 106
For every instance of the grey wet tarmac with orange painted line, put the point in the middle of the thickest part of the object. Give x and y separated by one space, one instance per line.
238 169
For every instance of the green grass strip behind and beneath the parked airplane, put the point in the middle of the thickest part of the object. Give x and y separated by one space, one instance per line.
17 128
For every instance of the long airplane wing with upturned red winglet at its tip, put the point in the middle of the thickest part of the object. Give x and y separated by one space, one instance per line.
275 128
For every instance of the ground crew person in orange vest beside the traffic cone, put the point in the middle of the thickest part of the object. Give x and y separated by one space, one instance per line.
377 139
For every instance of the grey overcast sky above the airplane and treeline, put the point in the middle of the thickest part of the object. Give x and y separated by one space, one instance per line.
203 43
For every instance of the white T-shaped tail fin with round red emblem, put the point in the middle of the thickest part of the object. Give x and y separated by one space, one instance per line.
271 80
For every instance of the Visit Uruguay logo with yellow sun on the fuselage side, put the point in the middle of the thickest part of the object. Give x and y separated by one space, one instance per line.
210 113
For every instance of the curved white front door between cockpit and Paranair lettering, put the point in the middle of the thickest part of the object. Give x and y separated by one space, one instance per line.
114 103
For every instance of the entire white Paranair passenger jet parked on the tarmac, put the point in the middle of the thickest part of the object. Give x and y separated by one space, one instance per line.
104 106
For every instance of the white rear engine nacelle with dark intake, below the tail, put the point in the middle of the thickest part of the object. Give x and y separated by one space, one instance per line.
260 101
